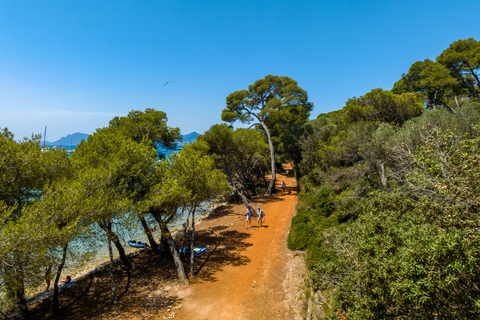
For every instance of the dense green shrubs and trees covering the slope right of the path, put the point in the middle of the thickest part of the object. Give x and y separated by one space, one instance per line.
389 210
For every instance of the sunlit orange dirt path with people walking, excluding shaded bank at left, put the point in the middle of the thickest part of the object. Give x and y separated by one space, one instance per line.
264 279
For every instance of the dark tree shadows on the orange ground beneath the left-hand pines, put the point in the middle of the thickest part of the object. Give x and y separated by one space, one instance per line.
141 290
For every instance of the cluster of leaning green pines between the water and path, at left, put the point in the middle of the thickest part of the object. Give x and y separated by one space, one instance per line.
113 180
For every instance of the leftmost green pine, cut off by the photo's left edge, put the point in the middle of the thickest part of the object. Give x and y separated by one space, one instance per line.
25 173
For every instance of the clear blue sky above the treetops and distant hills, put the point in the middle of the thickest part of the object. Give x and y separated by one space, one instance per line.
74 65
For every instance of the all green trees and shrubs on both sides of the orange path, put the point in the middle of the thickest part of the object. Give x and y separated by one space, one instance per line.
388 212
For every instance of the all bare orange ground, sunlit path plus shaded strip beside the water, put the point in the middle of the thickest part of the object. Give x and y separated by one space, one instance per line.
245 274
